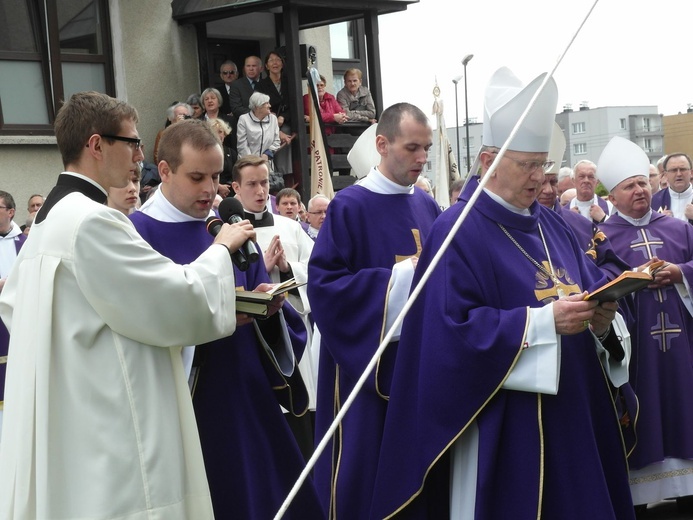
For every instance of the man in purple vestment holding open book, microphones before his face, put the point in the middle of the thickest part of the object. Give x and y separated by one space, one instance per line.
251 457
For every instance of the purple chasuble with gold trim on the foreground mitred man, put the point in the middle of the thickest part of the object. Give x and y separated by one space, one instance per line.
539 455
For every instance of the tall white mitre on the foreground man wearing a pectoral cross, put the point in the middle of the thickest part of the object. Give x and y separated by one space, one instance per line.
505 100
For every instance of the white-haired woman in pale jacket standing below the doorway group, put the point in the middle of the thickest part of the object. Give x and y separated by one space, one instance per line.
258 130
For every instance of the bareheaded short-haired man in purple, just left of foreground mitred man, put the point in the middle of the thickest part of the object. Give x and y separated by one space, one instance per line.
358 278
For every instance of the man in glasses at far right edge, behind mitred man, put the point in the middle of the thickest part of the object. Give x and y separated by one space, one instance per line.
675 200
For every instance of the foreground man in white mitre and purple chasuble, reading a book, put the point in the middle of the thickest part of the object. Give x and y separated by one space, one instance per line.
501 403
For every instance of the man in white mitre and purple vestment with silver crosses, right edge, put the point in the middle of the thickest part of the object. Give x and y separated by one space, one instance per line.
661 369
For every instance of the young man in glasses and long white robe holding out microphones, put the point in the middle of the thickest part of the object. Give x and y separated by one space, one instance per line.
98 420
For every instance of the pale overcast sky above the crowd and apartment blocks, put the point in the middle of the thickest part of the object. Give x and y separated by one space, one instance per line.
629 52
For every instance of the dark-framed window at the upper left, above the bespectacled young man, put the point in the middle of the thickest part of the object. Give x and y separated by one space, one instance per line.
31 70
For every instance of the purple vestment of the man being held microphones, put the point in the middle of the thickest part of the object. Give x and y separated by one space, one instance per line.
251 457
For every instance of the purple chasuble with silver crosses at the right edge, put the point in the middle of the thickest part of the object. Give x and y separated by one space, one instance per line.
661 367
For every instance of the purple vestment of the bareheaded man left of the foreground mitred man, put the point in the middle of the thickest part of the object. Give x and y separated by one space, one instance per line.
363 236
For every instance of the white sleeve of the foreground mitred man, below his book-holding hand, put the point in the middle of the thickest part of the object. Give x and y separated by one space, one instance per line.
538 368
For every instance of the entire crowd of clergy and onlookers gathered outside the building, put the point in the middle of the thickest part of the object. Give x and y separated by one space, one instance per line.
134 389
